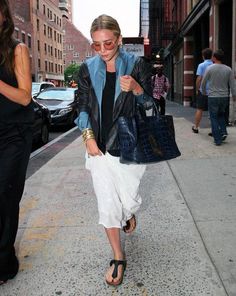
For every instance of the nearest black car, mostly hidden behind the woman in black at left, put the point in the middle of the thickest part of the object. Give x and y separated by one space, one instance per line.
41 124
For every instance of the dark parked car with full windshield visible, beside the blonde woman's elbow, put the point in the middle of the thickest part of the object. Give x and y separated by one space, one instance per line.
62 103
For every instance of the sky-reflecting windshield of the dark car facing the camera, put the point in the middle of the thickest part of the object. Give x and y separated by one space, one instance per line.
62 95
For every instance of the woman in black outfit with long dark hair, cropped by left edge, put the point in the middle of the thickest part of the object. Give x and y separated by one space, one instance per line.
16 117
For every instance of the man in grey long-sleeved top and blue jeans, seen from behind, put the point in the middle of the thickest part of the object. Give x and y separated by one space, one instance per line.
221 79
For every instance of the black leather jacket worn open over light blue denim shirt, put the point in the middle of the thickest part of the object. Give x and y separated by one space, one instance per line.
124 104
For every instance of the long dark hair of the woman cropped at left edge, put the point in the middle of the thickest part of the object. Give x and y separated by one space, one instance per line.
6 37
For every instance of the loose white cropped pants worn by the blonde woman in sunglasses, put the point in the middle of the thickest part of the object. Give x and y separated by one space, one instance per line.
116 186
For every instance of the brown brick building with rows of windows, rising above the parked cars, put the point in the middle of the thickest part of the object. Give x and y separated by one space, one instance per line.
48 33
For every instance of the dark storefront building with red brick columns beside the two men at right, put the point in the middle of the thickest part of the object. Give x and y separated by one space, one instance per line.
183 29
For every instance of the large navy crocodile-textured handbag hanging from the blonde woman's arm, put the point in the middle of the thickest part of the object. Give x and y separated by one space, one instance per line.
147 139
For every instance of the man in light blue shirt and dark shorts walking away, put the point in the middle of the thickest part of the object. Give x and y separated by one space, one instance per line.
202 100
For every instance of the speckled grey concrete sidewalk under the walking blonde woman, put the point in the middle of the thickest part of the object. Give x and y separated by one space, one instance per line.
184 244
